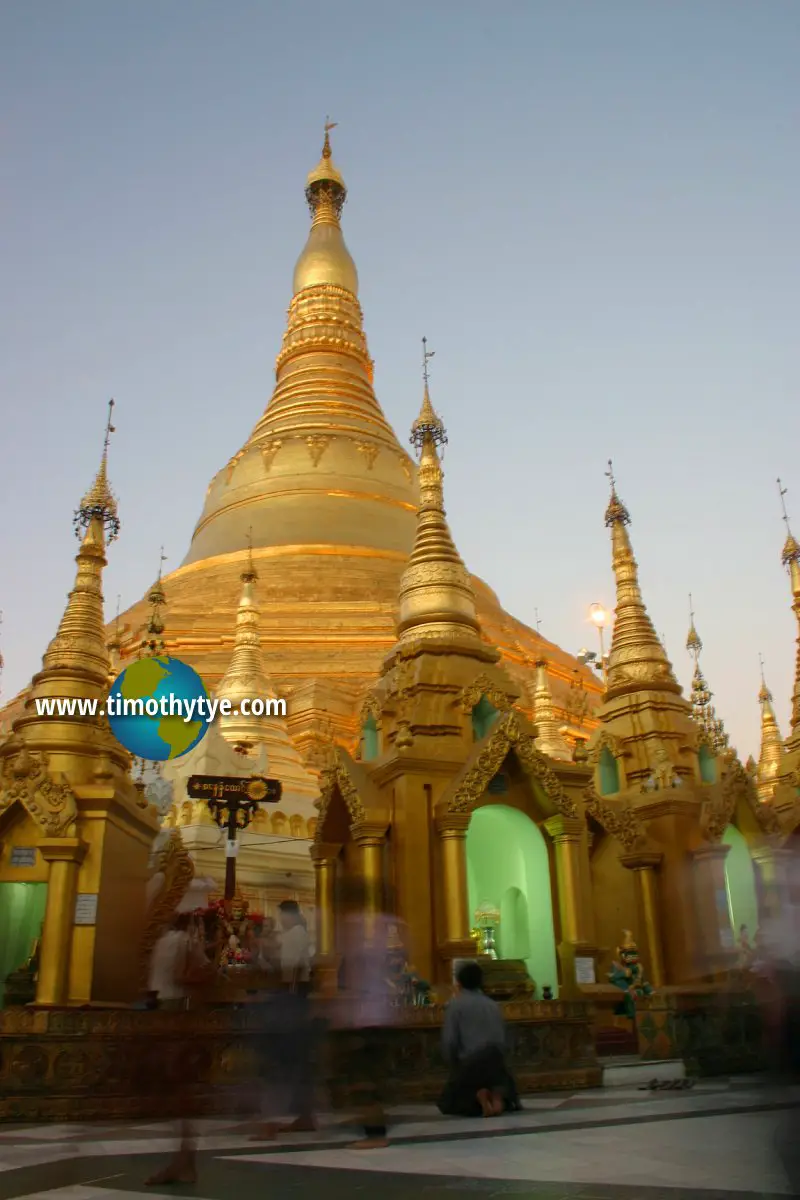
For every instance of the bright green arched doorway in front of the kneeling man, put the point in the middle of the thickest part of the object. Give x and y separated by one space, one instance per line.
508 866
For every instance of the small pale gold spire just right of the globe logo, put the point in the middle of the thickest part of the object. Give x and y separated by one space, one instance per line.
246 677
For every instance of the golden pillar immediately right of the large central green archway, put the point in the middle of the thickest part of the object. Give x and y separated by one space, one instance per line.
578 955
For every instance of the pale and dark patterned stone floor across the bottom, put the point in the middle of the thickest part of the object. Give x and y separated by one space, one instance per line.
718 1141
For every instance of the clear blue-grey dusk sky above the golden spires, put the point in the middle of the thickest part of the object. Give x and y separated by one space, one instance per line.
590 211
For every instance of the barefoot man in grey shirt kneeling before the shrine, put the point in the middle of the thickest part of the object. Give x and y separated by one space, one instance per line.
474 1043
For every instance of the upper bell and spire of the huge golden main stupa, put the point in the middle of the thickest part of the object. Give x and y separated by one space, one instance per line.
322 460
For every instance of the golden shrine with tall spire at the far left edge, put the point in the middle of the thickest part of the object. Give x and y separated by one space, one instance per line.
68 803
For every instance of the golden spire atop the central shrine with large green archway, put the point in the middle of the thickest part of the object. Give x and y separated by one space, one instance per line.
436 598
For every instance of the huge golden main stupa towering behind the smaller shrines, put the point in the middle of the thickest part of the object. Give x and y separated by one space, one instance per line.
328 497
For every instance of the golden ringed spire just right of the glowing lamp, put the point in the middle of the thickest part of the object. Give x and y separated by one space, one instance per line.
637 661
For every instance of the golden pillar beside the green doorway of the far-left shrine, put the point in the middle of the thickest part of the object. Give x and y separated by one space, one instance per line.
64 856
